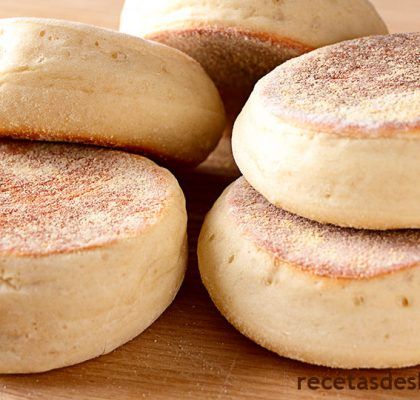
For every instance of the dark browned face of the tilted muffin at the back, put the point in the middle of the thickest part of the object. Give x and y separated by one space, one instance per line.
235 59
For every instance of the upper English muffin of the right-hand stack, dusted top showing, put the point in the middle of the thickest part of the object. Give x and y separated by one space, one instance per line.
334 136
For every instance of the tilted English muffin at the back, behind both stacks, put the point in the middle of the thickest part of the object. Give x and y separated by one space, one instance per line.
239 41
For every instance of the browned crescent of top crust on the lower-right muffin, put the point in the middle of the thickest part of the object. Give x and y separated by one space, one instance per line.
324 250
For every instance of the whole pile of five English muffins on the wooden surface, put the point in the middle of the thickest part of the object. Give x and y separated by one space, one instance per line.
312 254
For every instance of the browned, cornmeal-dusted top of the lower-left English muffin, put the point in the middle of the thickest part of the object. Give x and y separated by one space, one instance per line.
60 198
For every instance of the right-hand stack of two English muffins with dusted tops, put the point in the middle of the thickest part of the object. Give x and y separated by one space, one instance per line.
315 252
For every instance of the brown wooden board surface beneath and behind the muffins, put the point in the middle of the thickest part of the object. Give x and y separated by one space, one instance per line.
191 352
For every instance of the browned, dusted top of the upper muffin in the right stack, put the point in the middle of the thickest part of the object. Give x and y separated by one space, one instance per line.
367 87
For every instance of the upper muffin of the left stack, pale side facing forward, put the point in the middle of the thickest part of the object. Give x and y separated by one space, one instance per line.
66 81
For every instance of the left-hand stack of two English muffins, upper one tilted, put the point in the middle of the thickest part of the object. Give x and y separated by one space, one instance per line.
93 244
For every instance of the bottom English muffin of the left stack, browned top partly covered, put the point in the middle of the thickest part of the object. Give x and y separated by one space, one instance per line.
79 270
